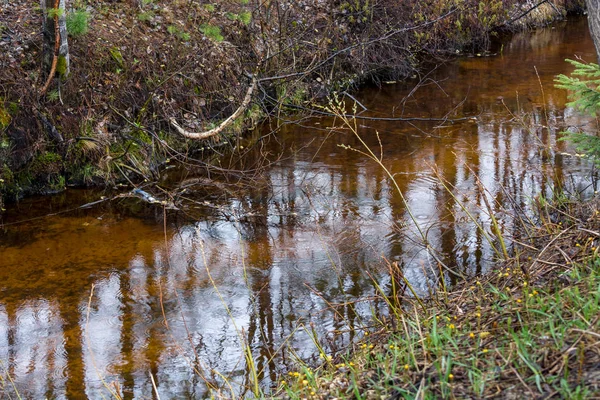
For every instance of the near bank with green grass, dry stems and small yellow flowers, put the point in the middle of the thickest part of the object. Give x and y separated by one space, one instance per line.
528 329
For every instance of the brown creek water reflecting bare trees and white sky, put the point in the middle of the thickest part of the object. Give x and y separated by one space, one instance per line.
266 266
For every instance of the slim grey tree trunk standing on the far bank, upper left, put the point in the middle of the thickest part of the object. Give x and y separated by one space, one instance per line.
50 36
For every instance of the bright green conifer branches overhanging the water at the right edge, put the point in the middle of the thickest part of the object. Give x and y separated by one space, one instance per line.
584 92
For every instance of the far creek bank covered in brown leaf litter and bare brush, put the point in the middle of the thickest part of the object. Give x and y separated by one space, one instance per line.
142 64
